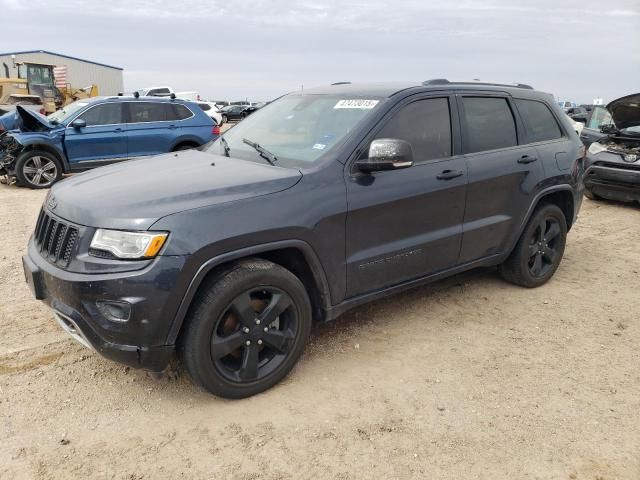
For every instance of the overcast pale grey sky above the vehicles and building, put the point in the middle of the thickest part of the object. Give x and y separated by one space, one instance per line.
237 49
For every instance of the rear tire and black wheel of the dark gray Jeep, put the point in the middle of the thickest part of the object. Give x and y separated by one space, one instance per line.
538 253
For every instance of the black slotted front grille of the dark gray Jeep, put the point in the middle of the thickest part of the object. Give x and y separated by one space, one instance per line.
55 239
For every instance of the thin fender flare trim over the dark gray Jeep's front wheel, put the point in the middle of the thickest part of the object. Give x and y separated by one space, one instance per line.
309 254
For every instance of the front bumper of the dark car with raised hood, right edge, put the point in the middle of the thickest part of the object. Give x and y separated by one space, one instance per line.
619 182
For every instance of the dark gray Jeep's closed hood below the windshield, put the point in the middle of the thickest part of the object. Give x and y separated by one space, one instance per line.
134 194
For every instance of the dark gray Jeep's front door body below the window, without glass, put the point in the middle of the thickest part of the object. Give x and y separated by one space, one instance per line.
403 224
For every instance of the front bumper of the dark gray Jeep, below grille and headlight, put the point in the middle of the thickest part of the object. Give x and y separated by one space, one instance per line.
139 342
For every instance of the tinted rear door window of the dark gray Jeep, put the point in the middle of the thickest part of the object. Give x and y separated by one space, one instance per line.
490 124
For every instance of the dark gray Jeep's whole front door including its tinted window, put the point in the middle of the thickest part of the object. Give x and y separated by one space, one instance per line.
405 224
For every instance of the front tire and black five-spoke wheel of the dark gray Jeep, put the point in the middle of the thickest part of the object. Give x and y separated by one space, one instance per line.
246 330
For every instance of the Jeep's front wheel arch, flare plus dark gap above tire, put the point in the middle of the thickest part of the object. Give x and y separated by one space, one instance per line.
295 255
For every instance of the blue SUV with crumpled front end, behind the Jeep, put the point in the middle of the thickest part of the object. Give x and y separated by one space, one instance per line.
90 133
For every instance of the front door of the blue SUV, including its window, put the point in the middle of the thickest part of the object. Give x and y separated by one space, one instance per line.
103 139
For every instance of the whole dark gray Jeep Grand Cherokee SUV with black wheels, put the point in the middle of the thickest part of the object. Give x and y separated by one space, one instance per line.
318 202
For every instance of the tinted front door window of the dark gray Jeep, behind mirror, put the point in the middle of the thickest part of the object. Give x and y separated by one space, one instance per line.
426 125
